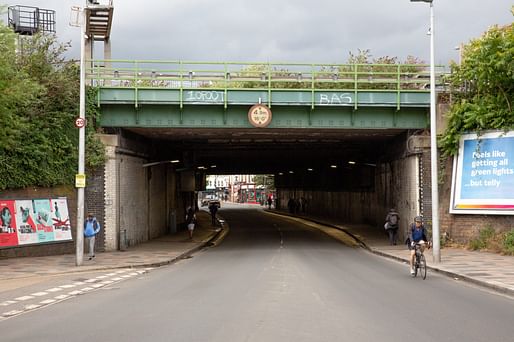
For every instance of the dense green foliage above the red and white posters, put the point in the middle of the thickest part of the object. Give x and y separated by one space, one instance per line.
39 98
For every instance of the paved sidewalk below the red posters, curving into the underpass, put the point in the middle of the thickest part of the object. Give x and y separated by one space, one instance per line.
157 252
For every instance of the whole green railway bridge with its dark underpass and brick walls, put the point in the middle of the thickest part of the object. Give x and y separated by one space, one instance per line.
307 144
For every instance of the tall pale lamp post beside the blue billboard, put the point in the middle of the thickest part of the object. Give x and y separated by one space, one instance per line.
433 142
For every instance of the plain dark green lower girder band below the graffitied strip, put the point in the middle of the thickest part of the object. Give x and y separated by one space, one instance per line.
235 116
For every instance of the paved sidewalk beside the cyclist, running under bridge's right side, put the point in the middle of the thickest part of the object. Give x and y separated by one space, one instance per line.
490 270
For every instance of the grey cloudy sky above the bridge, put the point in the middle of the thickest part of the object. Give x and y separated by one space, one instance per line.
306 31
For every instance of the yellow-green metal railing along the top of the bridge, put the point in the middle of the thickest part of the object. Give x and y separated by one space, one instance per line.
226 76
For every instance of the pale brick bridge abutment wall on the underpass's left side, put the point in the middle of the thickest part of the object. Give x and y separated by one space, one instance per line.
139 202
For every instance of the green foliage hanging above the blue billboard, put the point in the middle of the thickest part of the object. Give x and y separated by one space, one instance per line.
483 87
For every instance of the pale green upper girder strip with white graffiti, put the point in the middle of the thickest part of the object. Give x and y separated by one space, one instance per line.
290 97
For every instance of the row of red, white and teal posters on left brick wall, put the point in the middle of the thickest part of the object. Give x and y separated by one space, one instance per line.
24 222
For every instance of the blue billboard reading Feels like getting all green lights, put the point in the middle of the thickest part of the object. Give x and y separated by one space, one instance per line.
483 175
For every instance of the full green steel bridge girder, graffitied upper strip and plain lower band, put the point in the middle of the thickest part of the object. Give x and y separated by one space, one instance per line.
174 108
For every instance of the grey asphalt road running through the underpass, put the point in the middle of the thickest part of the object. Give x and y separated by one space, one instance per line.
273 279
